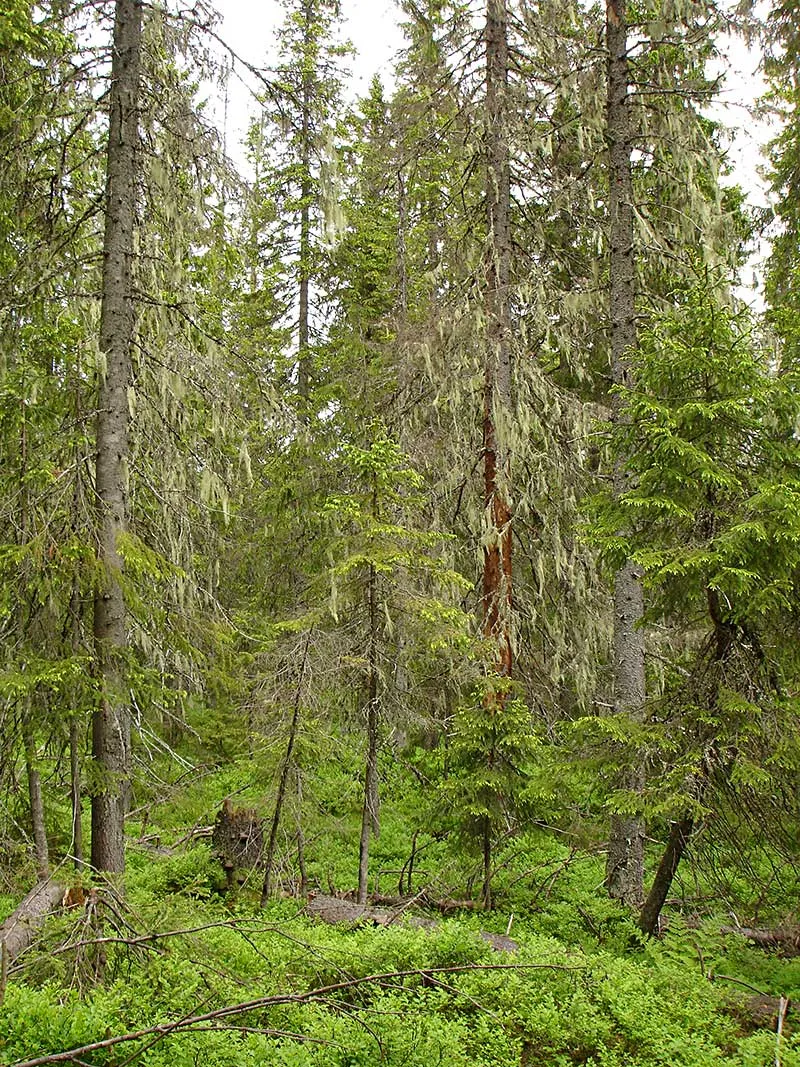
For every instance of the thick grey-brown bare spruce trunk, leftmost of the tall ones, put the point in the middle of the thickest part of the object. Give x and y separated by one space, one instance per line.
111 720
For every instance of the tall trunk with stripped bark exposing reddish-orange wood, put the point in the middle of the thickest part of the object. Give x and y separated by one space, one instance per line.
498 394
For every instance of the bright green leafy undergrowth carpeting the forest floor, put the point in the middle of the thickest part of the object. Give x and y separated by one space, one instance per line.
582 989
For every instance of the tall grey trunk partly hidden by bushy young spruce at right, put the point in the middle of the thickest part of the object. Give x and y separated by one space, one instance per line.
626 863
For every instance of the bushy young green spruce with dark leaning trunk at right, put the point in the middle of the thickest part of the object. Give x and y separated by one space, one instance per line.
708 438
